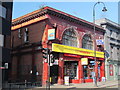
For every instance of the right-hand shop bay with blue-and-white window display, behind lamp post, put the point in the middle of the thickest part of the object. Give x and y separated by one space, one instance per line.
90 69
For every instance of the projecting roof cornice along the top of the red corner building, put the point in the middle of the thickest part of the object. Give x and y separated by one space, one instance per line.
52 11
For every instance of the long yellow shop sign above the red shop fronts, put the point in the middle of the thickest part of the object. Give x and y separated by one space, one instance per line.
74 50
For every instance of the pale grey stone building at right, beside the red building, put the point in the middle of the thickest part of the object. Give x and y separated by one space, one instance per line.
112 48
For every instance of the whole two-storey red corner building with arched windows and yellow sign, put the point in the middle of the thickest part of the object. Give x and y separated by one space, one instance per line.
68 37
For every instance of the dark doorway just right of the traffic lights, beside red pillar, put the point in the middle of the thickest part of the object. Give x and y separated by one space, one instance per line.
54 74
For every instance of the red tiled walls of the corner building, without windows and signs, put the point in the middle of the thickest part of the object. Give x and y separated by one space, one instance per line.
27 57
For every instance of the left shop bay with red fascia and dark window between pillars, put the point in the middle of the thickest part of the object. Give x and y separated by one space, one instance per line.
71 67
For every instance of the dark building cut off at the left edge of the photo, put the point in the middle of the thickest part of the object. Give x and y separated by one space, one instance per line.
5 32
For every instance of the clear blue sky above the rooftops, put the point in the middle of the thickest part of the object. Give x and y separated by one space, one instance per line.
83 10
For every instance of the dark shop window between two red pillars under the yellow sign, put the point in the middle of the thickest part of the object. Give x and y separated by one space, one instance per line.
71 69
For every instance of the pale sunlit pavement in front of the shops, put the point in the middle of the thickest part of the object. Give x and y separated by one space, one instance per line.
115 84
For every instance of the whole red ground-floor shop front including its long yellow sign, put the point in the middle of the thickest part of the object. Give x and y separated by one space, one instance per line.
79 64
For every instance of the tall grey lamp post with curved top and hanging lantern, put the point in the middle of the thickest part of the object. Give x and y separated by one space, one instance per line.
104 10
